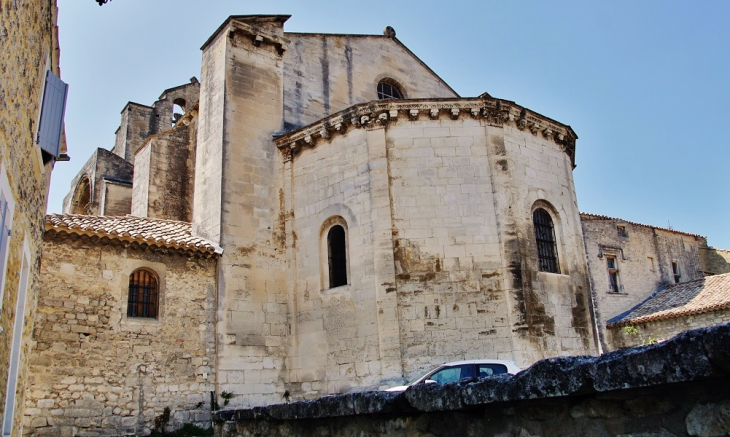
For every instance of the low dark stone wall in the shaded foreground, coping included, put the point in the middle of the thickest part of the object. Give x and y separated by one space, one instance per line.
676 388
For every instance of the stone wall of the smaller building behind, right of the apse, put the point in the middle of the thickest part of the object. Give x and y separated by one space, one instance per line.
643 255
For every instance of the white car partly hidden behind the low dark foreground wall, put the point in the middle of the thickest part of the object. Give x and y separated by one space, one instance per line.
458 370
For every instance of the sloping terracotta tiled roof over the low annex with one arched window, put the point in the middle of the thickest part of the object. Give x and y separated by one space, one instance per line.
152 232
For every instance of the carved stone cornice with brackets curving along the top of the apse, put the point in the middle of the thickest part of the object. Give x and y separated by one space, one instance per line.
380 113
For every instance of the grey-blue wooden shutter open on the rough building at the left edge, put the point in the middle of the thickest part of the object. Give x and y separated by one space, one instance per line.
52 112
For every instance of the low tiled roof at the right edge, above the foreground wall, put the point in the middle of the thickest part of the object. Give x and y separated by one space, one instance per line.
704 295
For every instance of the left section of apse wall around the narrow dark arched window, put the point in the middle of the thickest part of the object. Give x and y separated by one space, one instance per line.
336 345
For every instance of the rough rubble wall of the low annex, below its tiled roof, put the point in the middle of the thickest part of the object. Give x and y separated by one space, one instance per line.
96 371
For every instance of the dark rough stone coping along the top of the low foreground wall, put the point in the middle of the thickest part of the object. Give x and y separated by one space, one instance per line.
691 356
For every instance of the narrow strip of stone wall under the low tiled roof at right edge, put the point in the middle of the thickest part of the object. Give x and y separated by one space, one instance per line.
662 330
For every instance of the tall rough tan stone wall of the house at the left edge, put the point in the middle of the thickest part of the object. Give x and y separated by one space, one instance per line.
28 48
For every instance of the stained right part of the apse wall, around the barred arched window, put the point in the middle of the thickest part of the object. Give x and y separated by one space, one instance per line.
468 282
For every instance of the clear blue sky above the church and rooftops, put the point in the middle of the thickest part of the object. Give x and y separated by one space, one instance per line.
643 83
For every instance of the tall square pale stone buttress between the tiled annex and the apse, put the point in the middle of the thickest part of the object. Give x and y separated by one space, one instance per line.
237 203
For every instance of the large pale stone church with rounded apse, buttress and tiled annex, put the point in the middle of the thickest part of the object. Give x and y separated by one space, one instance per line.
323 214
